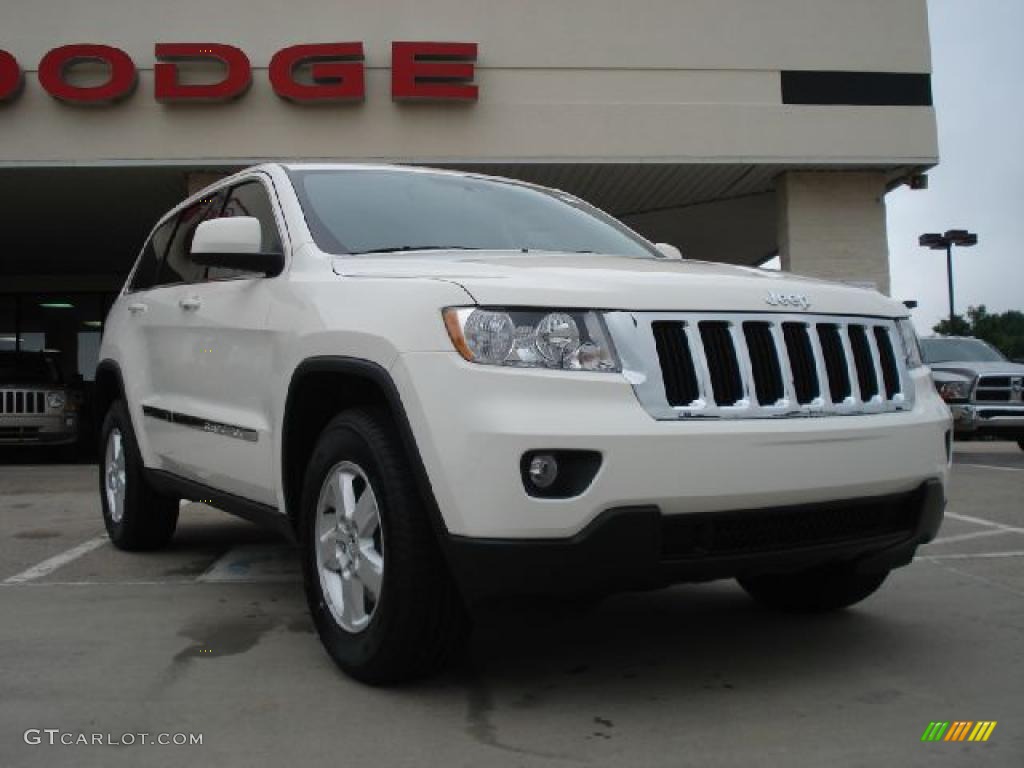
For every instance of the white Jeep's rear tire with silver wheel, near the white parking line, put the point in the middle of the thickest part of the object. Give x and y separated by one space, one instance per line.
136 516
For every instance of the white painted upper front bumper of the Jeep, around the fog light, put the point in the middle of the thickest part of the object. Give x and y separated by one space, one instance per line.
475 423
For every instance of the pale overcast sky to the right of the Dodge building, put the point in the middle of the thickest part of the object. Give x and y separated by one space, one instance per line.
978 76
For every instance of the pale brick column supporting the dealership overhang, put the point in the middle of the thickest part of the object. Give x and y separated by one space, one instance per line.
833 226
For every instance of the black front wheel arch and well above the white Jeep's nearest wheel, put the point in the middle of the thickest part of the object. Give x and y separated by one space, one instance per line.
320 389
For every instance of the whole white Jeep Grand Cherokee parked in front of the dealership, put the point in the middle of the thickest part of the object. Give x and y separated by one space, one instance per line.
450 388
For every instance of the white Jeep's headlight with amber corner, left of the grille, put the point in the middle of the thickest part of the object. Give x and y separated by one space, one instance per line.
569 340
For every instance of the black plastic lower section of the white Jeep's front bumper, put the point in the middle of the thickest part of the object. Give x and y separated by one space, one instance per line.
639 548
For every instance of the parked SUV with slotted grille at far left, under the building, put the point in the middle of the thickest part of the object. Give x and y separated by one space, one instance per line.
36 407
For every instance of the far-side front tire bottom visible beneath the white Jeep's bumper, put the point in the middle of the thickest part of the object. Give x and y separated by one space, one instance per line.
815 591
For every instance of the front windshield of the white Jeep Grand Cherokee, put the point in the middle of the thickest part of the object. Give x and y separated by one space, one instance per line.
386 211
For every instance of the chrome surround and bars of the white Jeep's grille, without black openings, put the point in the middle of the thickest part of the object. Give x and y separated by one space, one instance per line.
634 340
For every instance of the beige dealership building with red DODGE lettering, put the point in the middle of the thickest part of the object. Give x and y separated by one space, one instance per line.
735 130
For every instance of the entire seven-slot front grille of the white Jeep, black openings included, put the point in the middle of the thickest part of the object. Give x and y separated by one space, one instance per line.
760 366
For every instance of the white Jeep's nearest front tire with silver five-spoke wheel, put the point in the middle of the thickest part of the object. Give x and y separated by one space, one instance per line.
378 589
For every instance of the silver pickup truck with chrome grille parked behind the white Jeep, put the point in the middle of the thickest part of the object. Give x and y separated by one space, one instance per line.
985 391
